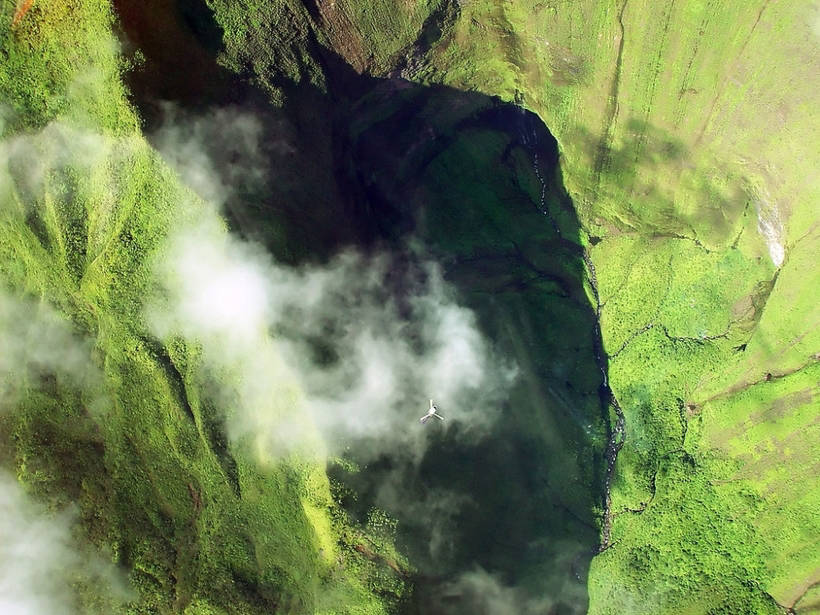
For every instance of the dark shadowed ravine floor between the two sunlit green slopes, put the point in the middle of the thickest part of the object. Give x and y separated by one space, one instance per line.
472 183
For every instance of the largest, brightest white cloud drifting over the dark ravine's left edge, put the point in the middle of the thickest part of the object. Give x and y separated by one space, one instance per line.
350 351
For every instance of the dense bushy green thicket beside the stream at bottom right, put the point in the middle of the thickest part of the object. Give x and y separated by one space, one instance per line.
659 564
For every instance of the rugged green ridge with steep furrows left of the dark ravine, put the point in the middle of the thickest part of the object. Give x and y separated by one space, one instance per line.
196 524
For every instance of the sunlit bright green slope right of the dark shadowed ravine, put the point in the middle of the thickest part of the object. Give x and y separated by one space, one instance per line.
687 134
